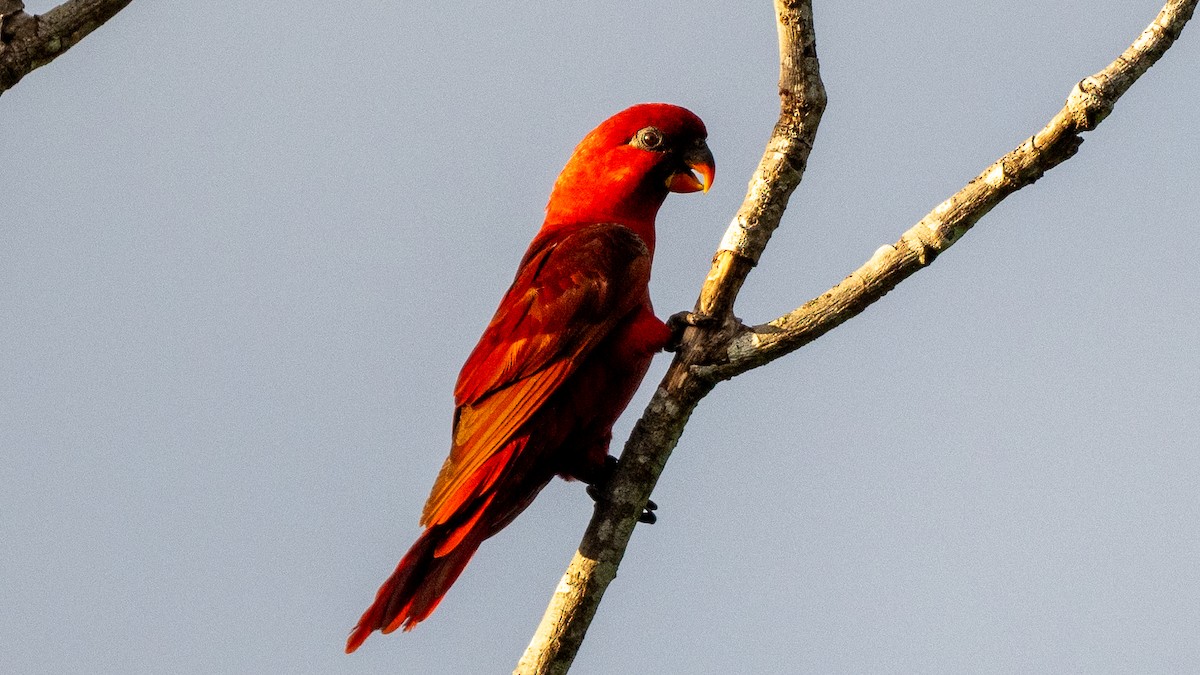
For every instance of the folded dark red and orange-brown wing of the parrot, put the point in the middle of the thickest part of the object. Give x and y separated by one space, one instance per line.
572 289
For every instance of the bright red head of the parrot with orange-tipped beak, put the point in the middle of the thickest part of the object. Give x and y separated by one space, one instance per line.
625 169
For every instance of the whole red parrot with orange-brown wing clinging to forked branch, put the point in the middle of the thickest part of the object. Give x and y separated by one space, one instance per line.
561 360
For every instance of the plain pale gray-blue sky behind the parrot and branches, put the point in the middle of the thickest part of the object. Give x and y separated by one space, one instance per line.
245 250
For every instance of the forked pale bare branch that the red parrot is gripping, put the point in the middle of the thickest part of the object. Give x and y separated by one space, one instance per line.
712 355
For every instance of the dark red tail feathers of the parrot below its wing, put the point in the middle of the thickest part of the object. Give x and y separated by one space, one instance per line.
417 587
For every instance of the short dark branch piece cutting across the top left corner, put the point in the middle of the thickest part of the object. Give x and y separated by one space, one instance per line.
31 41
